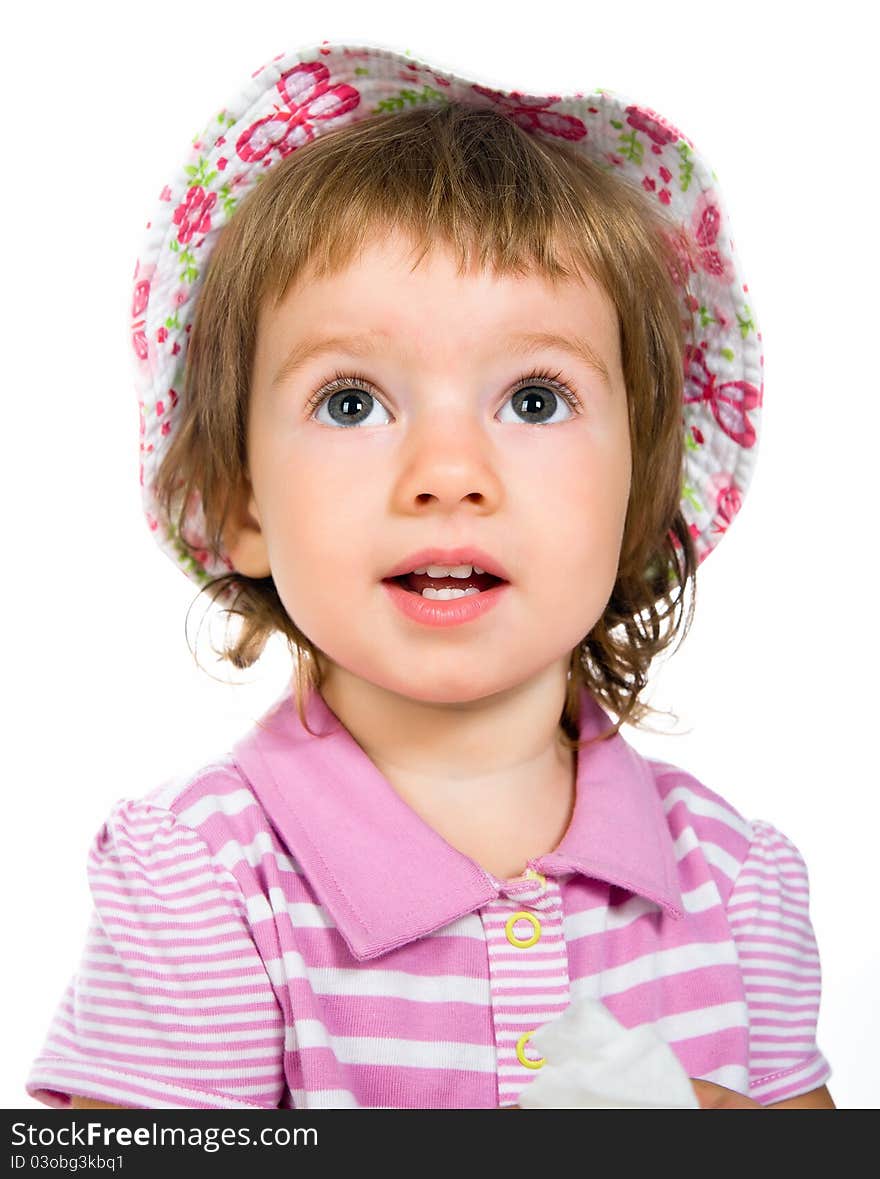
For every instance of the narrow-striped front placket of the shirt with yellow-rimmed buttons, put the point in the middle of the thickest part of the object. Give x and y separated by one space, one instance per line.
529 973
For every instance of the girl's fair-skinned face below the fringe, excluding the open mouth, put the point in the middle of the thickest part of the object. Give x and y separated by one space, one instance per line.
443 453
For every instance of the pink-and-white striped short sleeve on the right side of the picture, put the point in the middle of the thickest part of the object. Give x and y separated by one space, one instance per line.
769 912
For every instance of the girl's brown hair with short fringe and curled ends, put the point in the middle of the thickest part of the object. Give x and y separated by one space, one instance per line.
472 180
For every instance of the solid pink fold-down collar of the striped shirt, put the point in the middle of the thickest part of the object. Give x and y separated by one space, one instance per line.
388 878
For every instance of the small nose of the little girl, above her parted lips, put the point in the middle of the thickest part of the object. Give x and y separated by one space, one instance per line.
448 464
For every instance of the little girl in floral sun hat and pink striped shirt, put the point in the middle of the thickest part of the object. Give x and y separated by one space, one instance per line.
455 388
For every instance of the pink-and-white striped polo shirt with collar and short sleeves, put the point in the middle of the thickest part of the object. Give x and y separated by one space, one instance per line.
283 930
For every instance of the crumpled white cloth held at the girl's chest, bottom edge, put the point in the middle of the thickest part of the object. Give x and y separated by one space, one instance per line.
594 1063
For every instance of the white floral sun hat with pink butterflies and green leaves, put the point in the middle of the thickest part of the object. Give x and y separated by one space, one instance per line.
303 95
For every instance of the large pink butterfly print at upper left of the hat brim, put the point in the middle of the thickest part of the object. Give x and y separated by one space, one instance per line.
306 98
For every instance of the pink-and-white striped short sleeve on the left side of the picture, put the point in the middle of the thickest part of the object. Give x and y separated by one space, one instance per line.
172 1006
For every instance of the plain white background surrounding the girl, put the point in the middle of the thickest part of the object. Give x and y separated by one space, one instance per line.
776 686
